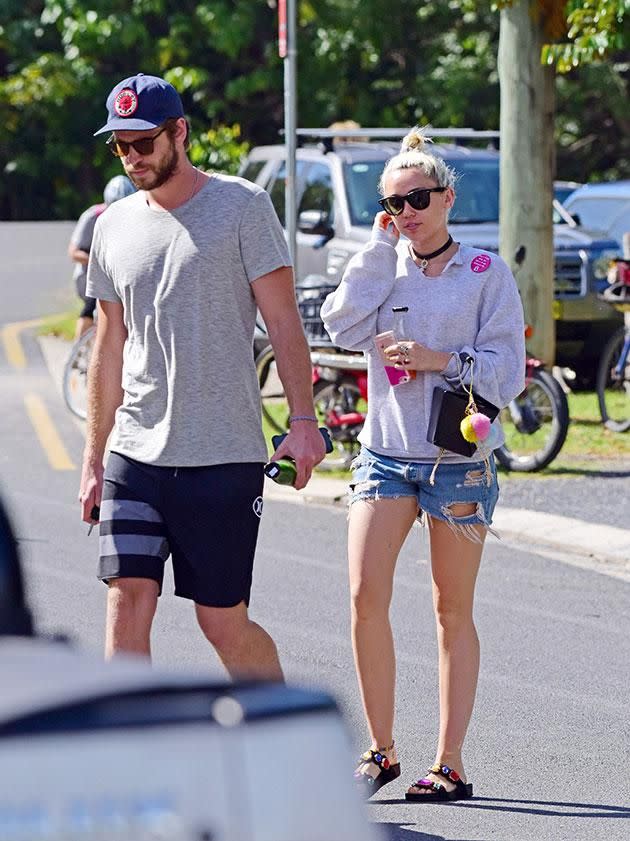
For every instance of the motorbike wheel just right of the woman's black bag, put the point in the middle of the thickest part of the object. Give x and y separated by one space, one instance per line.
535 424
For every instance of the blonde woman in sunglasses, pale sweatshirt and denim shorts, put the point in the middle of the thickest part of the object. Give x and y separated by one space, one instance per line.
462 326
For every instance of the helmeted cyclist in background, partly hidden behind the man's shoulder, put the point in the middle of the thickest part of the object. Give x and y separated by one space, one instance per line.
81 241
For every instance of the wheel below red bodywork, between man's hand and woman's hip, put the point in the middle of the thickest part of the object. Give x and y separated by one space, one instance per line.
341 409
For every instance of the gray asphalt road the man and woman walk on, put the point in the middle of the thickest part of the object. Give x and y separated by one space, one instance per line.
549 744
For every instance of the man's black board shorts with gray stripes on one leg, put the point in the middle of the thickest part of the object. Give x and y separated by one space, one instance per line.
205 518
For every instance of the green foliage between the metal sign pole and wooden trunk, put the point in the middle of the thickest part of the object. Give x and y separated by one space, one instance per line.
398 64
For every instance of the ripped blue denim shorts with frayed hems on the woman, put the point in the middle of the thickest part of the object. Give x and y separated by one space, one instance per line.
375 476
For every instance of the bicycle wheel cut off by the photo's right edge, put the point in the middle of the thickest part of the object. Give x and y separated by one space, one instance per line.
613 387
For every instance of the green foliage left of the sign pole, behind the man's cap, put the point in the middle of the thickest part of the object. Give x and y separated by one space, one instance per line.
60 58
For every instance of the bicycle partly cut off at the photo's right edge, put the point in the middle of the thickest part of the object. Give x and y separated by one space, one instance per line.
613 375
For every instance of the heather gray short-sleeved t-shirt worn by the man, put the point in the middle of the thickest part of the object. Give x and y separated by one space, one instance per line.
184 276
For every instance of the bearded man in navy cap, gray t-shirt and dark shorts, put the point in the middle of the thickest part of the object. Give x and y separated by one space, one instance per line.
178 270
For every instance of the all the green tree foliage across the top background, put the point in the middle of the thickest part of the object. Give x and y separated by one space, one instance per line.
372 61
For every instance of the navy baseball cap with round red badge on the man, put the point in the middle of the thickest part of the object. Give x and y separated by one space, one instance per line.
140 103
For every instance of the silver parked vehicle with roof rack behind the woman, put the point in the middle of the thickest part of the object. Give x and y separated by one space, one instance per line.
336 188
